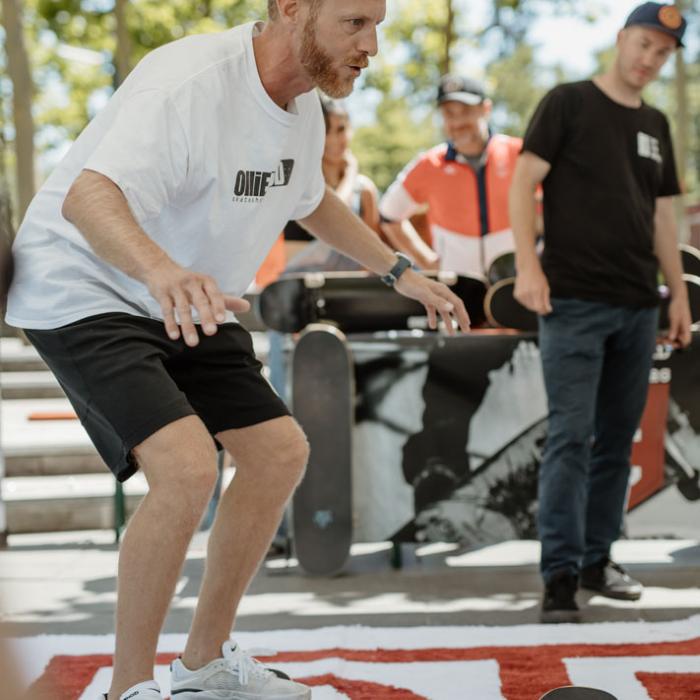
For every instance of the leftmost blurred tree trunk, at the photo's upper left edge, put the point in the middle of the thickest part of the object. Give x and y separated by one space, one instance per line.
22 89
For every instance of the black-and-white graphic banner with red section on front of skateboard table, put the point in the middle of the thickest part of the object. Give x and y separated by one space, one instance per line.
461 465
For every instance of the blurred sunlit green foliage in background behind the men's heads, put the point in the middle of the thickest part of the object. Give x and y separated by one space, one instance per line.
420 40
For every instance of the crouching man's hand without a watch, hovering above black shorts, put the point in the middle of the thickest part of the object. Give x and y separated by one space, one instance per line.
179 290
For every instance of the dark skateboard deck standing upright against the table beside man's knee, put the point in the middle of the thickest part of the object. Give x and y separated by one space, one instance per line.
323 403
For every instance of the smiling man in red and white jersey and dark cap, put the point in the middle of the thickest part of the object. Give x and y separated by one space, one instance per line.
464 183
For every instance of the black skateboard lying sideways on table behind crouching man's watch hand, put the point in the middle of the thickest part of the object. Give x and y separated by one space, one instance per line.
355 302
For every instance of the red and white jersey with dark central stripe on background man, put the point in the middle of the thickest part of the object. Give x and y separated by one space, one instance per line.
467 210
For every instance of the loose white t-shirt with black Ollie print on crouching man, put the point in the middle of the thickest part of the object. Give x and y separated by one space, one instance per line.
211 167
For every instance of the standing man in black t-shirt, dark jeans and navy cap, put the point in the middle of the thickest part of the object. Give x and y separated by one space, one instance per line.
605 161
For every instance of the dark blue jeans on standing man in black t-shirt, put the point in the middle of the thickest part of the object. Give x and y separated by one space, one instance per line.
596 360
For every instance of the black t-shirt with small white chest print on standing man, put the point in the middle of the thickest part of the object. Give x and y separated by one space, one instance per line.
609 164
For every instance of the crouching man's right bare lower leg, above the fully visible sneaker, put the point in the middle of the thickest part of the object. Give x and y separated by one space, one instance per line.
270 459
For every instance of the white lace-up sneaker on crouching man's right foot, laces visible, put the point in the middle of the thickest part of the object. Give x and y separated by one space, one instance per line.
235 676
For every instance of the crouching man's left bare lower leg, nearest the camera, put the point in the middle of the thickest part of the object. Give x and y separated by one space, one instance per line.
179 462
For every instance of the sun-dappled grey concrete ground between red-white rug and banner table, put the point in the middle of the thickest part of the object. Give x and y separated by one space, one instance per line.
65 584
